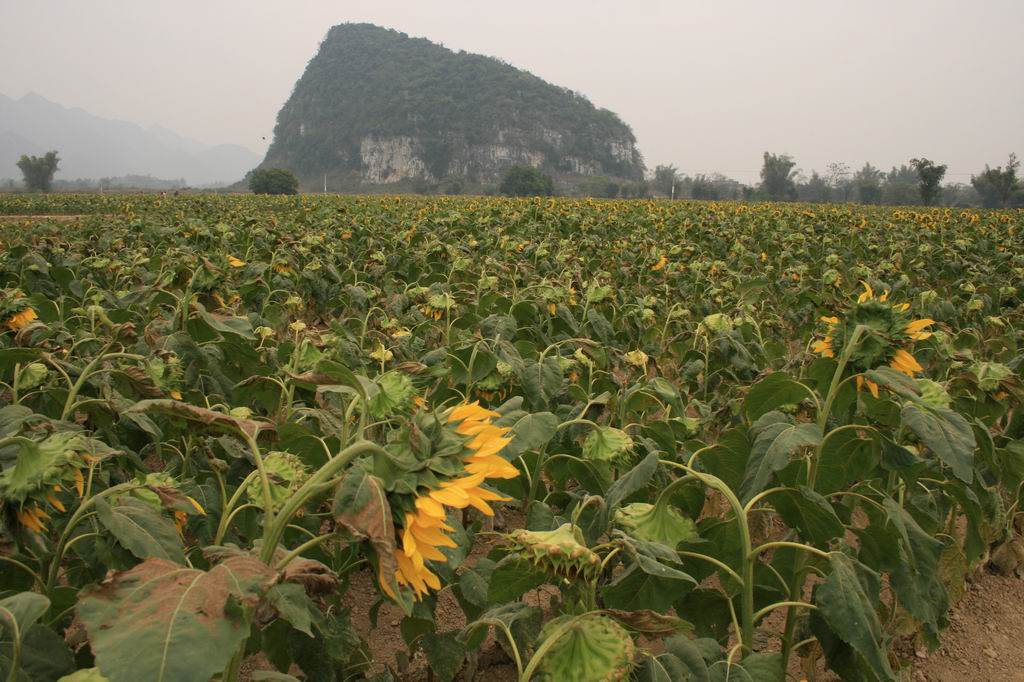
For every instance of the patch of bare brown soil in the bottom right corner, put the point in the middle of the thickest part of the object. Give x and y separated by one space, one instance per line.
984 643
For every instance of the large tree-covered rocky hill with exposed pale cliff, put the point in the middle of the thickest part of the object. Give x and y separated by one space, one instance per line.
382 108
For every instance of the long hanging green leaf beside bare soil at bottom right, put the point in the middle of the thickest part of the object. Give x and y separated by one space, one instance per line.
847 603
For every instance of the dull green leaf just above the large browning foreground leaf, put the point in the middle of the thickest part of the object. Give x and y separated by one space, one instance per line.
142 530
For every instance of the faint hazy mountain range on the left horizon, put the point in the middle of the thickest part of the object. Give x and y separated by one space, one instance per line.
92 147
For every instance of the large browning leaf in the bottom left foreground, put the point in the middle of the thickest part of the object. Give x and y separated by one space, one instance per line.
166 623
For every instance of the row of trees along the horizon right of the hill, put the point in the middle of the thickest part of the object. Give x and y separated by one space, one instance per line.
919 182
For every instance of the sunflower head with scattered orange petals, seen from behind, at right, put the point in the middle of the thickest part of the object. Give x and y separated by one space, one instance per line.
889 342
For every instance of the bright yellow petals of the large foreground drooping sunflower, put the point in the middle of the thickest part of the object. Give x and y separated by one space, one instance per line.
425 531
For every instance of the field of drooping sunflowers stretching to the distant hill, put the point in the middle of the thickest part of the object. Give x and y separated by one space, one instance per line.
623 440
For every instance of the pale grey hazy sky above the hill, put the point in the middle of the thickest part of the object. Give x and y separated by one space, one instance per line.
708 86
